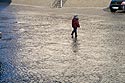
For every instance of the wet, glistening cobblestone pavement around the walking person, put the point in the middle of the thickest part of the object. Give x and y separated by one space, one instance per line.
36 46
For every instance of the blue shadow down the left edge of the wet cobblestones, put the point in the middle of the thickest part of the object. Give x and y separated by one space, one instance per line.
8 42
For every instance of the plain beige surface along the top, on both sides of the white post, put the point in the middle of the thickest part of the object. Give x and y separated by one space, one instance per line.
68 3
